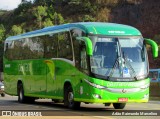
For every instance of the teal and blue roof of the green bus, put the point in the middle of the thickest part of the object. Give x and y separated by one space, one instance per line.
99 28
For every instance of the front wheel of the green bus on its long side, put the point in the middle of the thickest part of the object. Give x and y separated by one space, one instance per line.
69 99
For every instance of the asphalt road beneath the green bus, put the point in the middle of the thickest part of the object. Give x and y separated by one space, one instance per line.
46 107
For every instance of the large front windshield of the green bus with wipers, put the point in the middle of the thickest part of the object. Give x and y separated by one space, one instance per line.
119 59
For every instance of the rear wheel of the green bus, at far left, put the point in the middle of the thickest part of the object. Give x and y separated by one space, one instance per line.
21 97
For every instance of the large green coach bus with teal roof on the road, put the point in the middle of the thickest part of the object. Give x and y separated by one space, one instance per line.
90 62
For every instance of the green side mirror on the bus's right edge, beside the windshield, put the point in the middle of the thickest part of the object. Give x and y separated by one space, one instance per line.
154 46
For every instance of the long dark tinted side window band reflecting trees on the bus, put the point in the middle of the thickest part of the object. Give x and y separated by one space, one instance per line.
47 46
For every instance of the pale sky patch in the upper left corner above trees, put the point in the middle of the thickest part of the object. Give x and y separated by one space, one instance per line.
9 4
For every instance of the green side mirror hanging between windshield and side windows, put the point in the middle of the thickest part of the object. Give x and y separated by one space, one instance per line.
88 44
